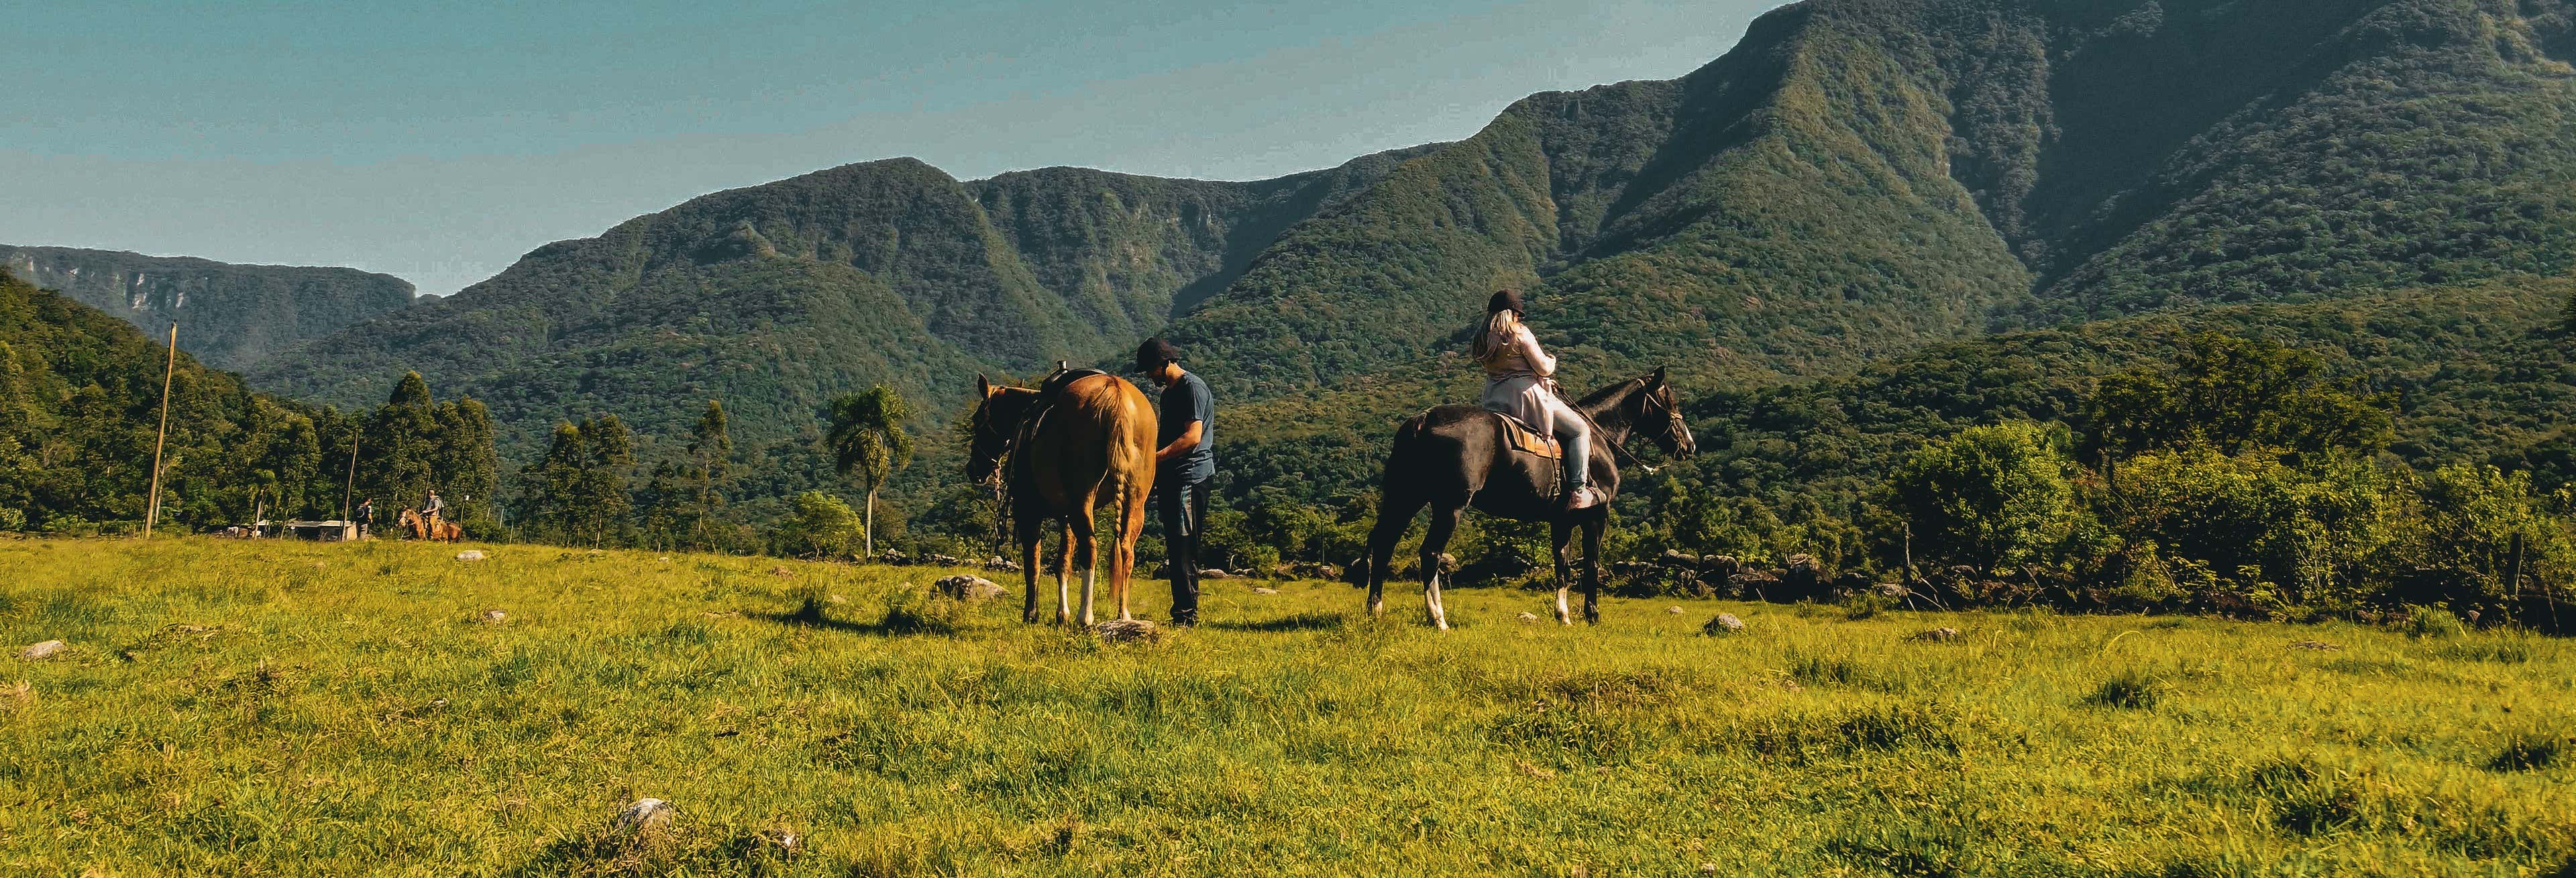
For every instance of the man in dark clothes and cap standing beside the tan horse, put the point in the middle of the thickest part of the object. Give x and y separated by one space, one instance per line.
1184 465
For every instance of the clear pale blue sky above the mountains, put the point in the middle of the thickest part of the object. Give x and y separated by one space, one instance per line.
442 140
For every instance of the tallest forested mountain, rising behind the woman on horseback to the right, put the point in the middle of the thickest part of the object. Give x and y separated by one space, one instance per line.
1856 179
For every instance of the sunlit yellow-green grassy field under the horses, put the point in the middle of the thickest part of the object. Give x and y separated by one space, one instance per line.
298 709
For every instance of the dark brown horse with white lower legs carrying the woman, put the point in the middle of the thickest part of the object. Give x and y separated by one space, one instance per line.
1462 457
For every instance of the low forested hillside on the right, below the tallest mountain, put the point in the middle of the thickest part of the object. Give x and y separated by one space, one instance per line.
2469 372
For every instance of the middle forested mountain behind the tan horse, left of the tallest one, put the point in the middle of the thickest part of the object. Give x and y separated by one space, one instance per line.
779 295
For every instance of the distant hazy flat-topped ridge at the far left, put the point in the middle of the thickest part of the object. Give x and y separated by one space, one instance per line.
231 315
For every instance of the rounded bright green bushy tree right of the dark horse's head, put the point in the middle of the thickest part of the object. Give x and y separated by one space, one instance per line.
1993 498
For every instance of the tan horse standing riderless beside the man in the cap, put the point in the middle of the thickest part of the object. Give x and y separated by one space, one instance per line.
1094 444
